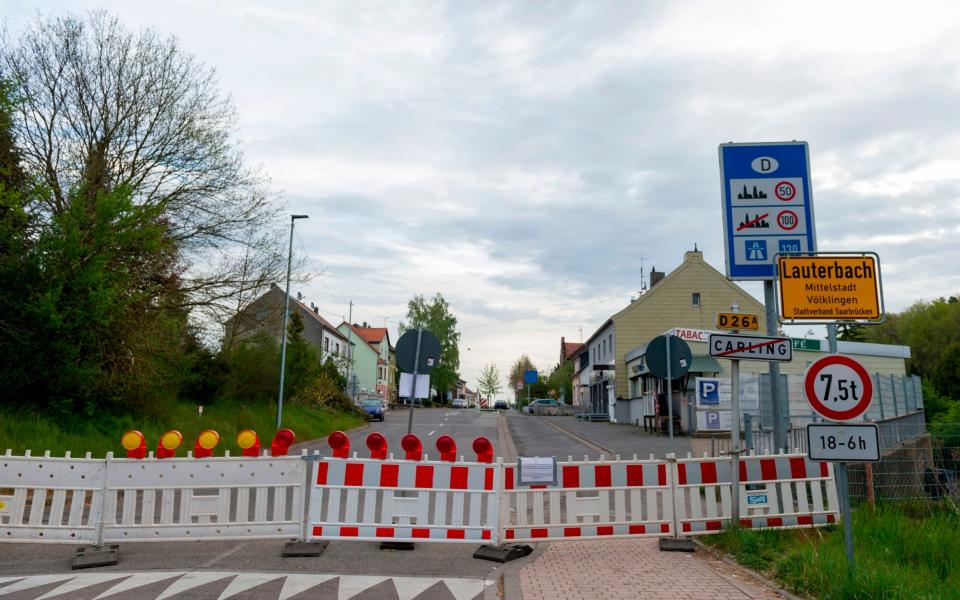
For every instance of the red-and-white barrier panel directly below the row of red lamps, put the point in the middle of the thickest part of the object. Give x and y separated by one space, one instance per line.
403 500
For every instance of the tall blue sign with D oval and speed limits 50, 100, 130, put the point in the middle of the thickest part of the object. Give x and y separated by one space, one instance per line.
767 206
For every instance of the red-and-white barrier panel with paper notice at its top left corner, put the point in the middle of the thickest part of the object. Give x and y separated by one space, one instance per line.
592 499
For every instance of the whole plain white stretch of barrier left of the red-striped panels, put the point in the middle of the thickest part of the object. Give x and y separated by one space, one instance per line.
97 501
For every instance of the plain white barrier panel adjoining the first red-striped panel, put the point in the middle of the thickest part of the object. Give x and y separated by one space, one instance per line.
188 499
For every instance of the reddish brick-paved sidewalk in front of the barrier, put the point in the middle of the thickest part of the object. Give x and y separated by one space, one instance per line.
626 569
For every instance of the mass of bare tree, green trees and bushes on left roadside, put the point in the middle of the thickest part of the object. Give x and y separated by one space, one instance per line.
130 228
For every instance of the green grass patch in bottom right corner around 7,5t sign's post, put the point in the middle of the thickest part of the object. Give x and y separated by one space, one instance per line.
902 550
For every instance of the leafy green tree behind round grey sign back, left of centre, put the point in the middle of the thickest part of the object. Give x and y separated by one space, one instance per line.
435 316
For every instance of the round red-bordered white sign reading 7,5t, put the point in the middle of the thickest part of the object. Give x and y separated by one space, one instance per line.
838 387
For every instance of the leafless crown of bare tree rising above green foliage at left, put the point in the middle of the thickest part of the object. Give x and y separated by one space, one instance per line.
103 107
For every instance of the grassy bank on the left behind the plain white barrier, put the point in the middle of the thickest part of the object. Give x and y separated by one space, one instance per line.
25 431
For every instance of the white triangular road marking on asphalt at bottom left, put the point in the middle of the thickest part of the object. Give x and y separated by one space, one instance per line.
179 584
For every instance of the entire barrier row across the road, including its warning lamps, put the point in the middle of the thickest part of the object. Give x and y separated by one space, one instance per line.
344 497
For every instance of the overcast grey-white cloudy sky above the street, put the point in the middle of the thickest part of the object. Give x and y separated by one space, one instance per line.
523 158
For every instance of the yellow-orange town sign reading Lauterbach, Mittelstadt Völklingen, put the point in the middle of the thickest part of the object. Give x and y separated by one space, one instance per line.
830 288
